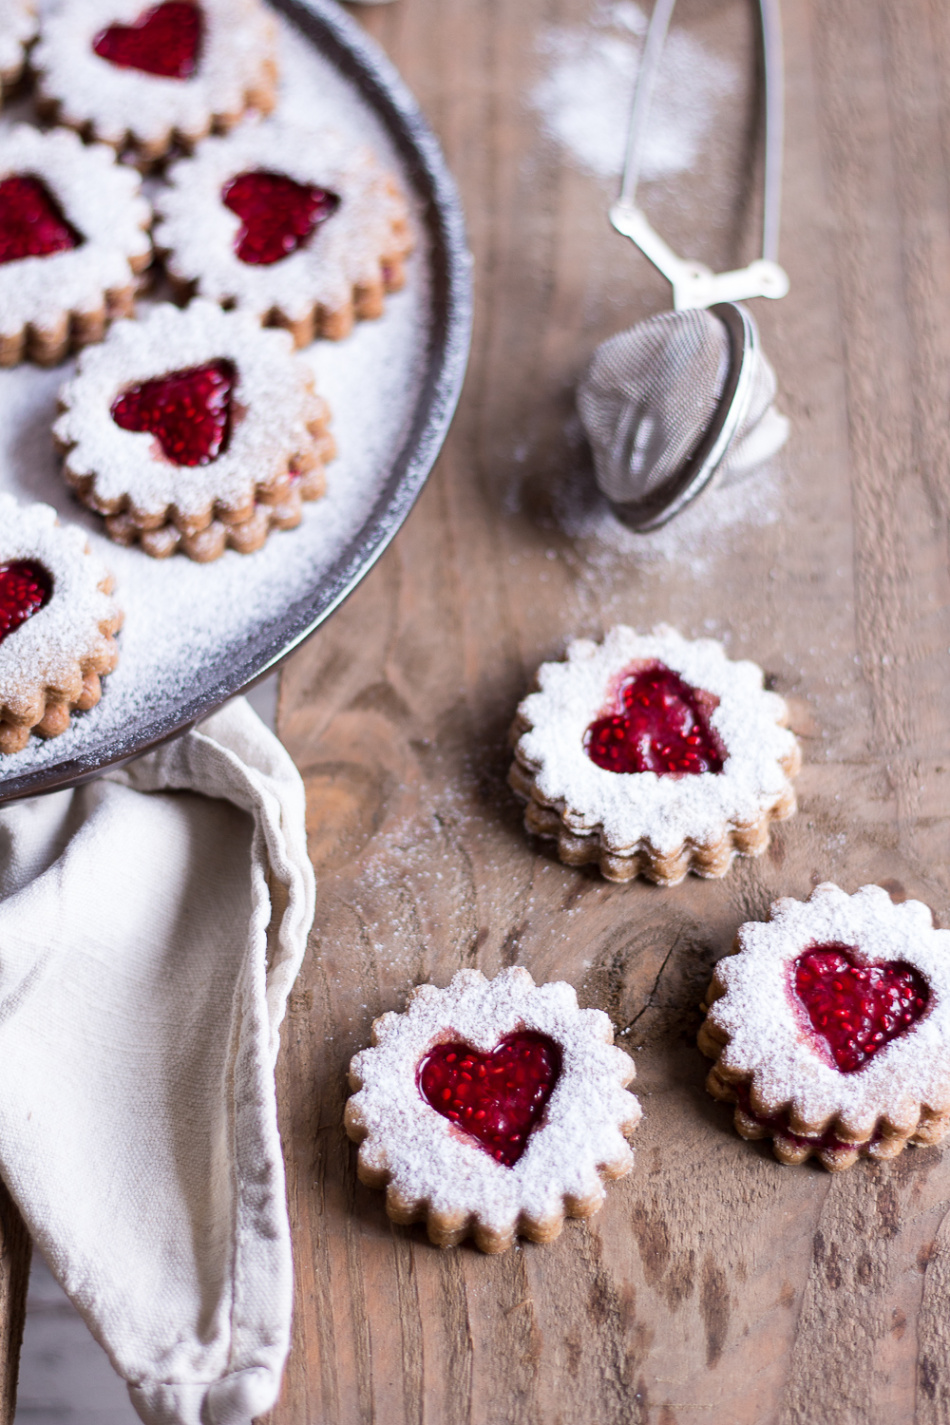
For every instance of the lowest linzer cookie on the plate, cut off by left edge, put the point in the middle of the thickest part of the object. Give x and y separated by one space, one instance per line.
58 625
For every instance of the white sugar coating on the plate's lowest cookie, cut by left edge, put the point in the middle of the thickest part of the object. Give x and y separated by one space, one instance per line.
48 651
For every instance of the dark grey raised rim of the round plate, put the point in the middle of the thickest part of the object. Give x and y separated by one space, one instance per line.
360 61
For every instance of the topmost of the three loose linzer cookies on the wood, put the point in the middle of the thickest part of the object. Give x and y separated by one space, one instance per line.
653 756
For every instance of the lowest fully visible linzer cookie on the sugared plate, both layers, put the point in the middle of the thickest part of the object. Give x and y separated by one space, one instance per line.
194 431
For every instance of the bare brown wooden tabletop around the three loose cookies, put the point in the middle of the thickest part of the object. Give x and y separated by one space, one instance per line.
716 1286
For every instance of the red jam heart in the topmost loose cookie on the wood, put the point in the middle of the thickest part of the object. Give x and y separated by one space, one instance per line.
657 725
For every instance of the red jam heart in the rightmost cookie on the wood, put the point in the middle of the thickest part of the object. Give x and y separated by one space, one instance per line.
858 1010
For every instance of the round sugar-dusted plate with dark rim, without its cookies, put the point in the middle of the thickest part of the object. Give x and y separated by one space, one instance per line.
196 635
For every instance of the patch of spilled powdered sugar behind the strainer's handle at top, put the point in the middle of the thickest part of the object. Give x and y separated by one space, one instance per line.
588 89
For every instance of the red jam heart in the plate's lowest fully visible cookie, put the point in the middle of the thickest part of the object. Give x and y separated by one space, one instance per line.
189 413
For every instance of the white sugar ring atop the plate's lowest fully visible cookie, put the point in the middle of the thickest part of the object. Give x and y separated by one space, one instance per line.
273 387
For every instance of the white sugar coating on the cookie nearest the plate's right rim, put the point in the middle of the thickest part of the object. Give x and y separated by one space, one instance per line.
348 252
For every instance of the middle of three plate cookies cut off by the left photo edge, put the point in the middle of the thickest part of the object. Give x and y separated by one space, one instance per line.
73 237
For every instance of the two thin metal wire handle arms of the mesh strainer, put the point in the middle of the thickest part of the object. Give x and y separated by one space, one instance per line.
774 115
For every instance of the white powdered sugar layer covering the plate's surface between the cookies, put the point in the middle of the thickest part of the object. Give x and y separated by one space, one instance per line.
184 616
